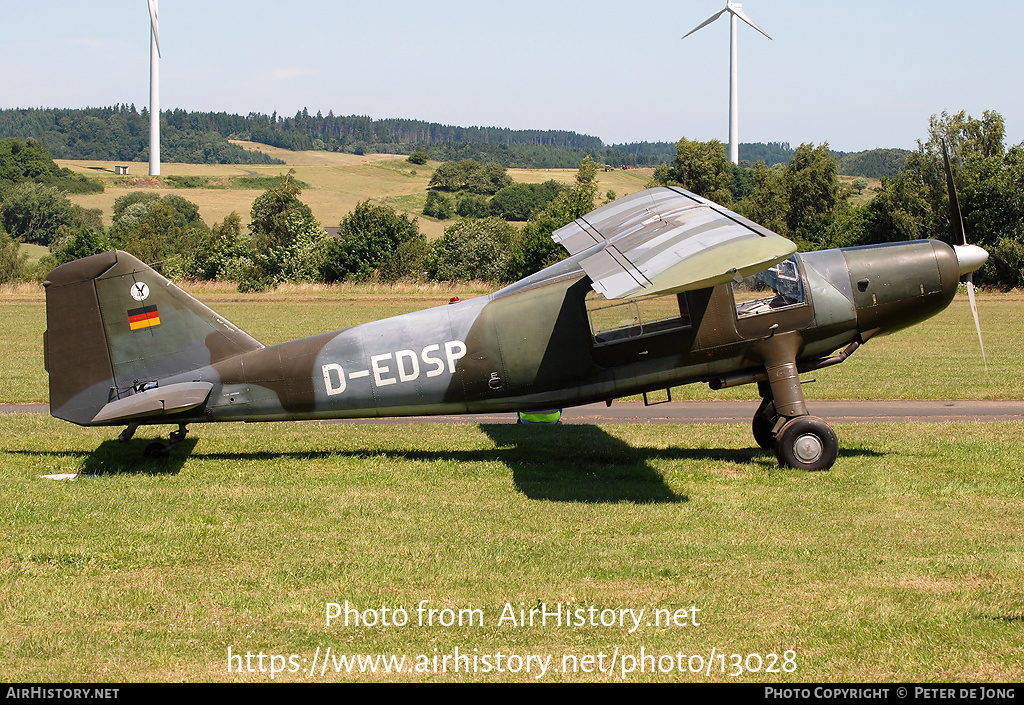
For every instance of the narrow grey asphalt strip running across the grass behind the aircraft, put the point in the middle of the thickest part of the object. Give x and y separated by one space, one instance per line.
934 411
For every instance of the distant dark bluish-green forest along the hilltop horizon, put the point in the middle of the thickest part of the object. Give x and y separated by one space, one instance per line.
122 134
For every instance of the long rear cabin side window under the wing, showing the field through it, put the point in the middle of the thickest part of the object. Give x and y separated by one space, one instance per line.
618 321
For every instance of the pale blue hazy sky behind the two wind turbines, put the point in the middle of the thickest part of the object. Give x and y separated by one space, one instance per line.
859 75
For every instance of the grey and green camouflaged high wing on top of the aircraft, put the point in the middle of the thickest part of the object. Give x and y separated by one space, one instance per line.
668 240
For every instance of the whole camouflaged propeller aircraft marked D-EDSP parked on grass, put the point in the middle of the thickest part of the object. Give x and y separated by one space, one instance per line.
662 288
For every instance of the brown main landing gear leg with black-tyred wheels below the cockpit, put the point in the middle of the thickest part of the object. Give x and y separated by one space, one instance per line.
782 423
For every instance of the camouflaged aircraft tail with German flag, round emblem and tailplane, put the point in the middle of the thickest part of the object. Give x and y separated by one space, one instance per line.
116 329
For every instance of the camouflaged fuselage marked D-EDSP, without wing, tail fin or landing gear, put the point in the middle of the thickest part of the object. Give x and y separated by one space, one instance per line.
548 342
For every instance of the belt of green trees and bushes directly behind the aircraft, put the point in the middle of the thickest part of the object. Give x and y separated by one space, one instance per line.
803 200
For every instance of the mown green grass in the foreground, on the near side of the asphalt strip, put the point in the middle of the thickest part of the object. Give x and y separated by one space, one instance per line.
904 563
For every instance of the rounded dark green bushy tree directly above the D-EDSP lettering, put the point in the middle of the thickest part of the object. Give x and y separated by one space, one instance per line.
369 244
